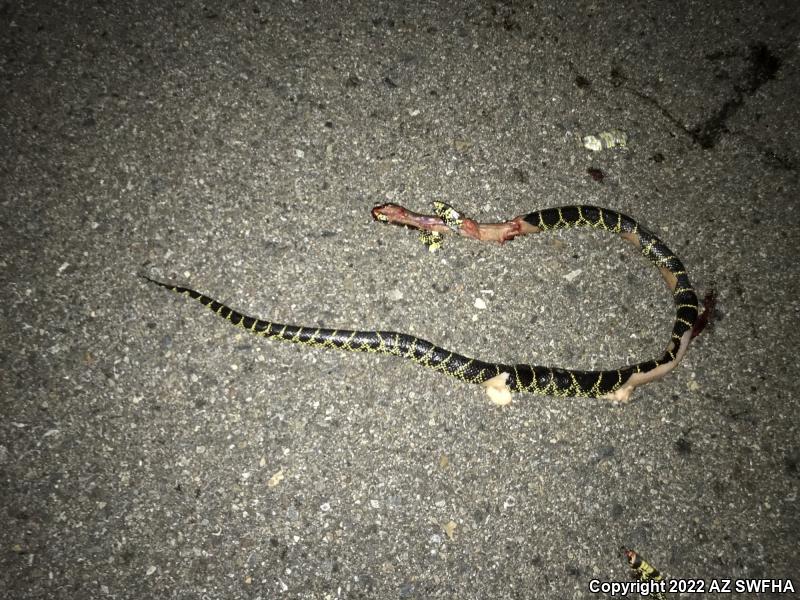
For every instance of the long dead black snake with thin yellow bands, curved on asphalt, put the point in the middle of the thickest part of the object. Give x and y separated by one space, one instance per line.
500 379
